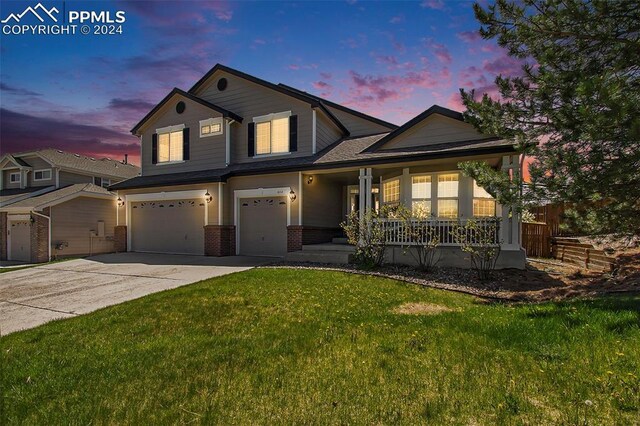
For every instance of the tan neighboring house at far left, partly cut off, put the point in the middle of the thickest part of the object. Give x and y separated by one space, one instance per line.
54 203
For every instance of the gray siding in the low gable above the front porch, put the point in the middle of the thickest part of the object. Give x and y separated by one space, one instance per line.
435 129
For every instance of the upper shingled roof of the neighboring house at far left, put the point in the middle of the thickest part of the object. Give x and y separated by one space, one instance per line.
99 166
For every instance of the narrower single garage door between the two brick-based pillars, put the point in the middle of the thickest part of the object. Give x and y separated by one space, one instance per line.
263 226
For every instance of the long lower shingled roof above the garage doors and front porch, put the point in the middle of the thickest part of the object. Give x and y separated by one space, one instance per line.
347 152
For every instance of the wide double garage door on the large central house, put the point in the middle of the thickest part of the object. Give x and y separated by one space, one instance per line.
173 226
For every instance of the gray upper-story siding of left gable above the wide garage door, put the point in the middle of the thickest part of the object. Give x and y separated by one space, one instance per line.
204 153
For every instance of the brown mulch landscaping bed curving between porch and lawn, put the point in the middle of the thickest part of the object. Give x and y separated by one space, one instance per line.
542 280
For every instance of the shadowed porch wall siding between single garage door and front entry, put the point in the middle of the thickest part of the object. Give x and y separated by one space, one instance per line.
322 202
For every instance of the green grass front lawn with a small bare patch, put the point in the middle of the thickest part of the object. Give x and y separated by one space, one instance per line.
298 346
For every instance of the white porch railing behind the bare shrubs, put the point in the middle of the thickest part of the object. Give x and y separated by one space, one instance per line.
443 229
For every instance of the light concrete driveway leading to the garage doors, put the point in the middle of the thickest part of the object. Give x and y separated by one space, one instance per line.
34 296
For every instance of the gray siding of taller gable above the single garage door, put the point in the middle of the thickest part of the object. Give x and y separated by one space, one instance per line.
251 100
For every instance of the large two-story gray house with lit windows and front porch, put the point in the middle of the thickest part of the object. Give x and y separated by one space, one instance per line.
238 165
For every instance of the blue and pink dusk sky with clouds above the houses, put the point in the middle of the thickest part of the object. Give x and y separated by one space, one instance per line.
389 59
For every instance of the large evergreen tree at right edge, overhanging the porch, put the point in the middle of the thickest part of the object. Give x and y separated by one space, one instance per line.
575 107
